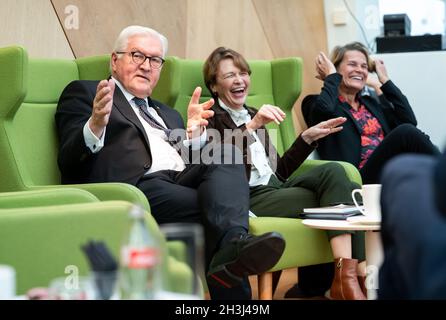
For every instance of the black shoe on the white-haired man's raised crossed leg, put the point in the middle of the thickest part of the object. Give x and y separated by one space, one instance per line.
245 256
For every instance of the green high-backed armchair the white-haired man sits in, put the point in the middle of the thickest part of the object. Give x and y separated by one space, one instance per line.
29 94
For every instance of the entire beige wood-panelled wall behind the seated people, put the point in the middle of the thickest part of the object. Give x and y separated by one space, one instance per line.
259 29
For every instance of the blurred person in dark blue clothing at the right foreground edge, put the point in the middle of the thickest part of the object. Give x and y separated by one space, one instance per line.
414 228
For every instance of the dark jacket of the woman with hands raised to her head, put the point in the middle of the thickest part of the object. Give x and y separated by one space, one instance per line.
346 144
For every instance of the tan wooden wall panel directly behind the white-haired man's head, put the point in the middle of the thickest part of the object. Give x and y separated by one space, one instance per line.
100 22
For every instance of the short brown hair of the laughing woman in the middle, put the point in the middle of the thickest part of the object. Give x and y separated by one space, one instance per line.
210 68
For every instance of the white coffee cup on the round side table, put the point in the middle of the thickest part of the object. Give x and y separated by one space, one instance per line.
371 194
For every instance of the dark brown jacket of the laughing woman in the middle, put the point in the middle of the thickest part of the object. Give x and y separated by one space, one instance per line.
286 165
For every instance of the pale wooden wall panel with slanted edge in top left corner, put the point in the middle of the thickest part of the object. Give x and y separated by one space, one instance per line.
33 25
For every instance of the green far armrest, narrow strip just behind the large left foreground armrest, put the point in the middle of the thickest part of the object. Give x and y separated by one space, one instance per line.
39 198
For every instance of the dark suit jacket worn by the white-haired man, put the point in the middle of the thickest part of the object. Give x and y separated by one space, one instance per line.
126 154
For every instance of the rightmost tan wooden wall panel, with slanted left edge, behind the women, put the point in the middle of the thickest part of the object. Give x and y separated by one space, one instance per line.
296 28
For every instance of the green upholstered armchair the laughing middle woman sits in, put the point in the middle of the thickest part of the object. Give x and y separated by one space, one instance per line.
276 82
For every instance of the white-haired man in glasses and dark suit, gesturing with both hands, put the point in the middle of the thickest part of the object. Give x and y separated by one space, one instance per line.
112 131
